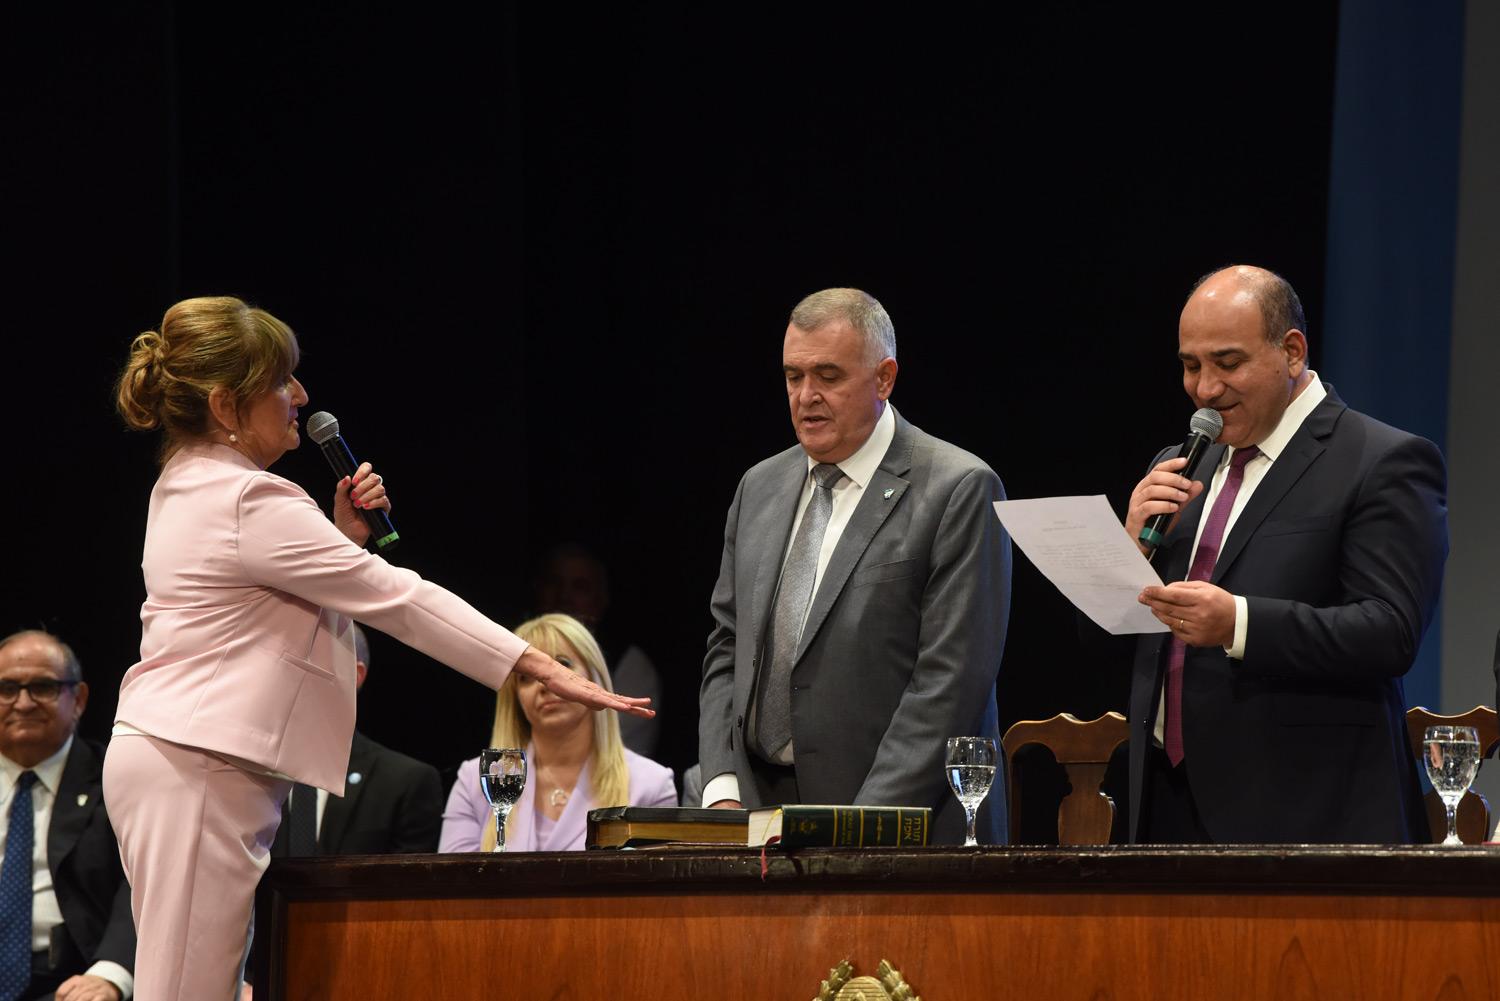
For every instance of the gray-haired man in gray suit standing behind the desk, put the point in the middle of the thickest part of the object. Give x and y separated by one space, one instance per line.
862 603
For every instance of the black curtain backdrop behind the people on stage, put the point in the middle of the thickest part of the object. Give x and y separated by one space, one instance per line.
541 263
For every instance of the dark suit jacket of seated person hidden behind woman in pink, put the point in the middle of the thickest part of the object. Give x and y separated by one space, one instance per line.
395 807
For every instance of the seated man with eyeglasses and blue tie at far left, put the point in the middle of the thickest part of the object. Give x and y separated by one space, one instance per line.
65 907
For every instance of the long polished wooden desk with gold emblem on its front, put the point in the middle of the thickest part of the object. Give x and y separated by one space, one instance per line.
1282 924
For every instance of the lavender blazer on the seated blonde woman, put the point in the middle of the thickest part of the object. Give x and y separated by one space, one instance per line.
469 814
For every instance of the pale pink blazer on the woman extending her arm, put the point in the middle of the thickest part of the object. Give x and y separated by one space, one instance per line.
247 648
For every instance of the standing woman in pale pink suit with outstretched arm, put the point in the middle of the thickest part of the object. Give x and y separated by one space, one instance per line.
247 673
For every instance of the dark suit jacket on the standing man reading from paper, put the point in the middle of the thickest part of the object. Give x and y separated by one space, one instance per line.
1340 556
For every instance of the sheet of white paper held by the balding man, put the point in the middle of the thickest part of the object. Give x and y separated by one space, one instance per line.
1081 546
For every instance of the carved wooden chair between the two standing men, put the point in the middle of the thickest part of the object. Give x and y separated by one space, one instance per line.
1084 751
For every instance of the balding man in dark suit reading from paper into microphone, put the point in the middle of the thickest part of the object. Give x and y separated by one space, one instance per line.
1301 576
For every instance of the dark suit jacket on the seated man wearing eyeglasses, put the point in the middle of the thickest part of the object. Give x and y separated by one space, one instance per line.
88 879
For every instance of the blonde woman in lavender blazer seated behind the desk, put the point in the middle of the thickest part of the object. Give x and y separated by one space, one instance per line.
575 762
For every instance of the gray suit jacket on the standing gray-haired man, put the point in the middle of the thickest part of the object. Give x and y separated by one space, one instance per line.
904 639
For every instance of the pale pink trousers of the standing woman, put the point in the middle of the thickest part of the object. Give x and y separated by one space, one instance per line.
196 837
